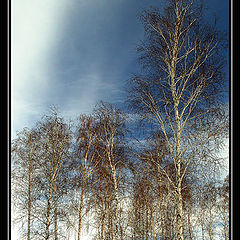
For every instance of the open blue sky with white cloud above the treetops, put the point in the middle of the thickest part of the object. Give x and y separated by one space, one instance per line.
73 53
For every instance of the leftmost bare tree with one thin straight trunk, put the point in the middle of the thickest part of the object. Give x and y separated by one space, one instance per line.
24 149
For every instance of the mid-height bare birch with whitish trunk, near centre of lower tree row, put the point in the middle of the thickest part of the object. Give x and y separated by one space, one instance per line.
111 122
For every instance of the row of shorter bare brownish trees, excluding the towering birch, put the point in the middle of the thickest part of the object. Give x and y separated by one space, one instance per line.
67 178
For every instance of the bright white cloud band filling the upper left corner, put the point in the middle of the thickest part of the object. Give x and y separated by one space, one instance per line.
34 26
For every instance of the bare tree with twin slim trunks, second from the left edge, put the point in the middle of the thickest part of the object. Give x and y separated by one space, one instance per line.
55 138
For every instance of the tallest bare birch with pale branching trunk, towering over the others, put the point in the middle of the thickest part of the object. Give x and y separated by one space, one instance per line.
179 92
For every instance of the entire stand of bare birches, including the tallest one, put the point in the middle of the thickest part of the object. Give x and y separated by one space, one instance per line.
149 171
